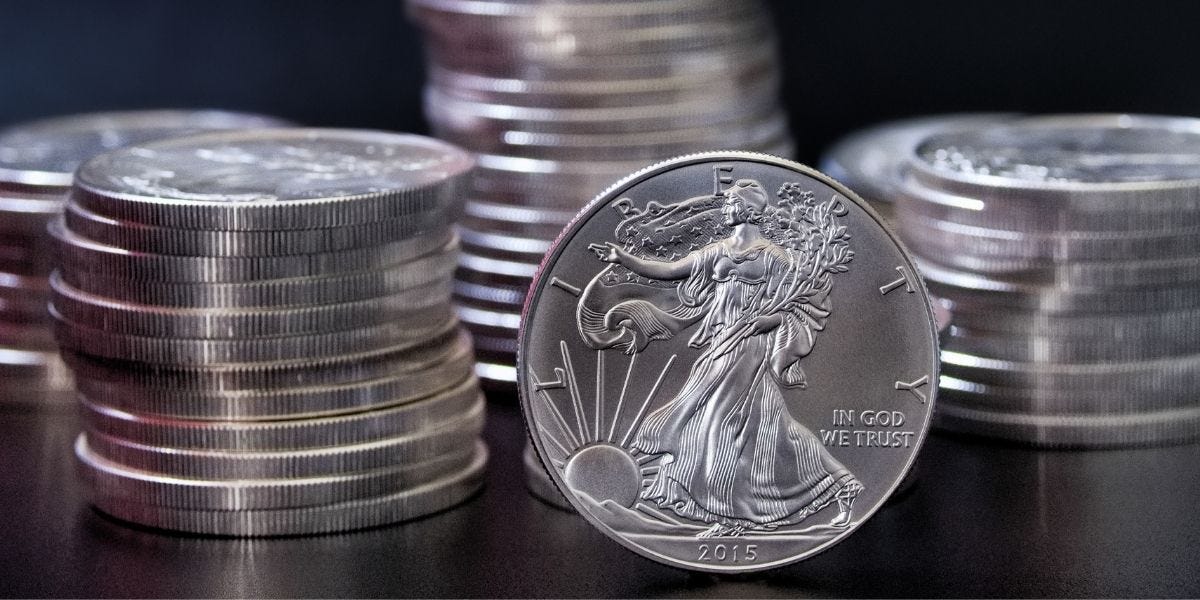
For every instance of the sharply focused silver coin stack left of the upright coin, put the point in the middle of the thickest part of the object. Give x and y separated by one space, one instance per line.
261 331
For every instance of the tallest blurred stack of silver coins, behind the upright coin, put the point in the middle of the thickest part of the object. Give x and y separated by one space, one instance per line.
560 100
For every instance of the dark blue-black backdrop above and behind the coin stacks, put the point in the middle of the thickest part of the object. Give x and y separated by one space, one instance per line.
358 63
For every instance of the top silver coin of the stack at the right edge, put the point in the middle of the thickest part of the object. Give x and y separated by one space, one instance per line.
1105 173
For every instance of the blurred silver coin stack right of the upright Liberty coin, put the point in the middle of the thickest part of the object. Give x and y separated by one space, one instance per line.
1069 250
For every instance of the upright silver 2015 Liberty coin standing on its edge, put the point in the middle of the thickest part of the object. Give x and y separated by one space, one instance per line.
670 375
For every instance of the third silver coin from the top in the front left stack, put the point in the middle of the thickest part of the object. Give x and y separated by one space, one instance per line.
87 256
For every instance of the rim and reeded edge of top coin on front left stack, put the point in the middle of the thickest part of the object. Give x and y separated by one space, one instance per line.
403 201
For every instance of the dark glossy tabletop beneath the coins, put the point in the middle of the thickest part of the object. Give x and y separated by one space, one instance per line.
980 520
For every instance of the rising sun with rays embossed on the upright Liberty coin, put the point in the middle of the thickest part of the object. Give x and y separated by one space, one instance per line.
587 440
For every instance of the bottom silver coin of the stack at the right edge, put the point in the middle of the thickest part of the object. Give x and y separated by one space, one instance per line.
1075 431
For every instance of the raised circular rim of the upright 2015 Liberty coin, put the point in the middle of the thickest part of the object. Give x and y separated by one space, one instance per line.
602 201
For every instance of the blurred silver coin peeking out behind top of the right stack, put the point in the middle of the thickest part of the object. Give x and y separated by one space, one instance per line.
872 161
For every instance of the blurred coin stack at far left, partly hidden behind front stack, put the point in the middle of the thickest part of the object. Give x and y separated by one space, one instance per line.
38 161
